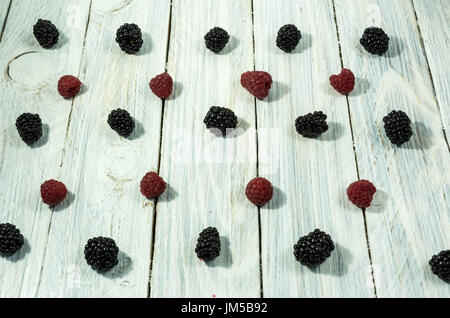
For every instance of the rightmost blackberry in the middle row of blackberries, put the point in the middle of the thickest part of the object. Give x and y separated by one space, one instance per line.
398 127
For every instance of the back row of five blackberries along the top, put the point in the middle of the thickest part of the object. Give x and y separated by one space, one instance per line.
129 38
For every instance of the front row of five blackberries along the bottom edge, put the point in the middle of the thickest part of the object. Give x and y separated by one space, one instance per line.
101 253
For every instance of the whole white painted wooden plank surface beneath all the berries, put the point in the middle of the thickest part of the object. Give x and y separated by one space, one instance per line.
206 174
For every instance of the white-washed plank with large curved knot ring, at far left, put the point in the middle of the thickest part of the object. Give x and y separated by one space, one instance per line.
29 85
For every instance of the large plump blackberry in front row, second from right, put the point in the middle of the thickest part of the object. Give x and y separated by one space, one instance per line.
314 248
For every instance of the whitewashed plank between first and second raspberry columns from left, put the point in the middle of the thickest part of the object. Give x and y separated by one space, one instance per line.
103 170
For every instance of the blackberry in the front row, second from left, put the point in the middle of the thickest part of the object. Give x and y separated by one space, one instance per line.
101 253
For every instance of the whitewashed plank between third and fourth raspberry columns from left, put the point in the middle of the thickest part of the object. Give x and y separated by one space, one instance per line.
310 175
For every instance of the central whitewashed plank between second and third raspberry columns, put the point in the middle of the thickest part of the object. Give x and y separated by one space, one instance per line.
207 174
